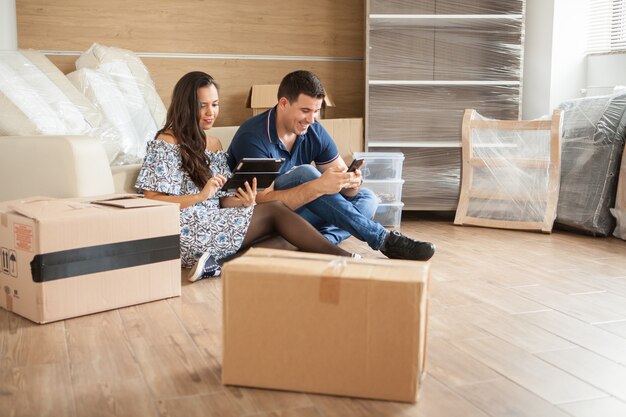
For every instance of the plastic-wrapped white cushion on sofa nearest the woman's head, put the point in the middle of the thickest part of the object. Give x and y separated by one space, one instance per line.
144 107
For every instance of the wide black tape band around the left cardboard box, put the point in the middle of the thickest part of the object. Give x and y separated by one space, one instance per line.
100 258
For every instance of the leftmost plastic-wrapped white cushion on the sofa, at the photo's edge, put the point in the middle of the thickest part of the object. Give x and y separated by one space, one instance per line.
37 99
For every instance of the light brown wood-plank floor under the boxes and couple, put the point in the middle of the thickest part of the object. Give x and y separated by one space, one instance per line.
522 324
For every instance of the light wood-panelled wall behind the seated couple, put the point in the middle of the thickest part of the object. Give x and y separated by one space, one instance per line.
239 43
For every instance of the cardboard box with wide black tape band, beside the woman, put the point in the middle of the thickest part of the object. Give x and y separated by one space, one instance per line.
68 257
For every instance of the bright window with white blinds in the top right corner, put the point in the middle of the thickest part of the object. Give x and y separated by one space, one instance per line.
607 26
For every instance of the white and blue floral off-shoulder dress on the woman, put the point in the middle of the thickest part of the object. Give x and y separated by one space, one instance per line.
204 226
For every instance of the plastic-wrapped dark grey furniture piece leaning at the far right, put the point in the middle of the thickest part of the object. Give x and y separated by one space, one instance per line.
593 142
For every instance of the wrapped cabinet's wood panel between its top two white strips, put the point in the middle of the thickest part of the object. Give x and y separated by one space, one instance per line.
445 49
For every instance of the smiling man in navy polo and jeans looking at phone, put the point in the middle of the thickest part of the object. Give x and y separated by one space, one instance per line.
326 195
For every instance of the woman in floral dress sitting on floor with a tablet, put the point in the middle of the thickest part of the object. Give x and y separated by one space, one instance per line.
185 166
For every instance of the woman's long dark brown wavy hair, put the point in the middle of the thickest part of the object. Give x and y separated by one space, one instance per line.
182 120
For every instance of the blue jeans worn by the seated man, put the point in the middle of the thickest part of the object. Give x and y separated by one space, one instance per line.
335 216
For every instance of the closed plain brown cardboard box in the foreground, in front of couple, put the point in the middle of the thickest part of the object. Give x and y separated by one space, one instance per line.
325 324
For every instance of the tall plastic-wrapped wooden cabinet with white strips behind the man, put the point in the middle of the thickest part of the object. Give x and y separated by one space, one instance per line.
426 62
